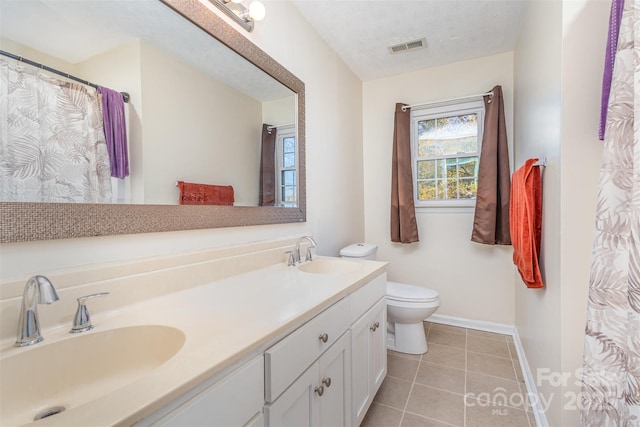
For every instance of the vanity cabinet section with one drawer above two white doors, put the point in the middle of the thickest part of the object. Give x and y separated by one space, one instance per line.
308 373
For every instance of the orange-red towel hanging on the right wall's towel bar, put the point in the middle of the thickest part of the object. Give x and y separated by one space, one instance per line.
525 215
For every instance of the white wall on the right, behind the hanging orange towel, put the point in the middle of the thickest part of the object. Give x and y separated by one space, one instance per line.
558 74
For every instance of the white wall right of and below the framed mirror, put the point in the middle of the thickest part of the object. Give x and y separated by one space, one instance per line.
334 166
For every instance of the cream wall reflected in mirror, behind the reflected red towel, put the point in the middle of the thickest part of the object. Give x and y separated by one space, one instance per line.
196 129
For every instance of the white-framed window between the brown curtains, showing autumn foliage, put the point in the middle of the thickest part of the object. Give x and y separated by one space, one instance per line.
446 144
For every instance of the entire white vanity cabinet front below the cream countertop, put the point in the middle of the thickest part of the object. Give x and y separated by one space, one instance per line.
324 373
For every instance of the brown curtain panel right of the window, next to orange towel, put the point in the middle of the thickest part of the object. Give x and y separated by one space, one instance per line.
491 219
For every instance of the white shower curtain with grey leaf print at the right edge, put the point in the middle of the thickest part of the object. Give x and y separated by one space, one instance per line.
611 369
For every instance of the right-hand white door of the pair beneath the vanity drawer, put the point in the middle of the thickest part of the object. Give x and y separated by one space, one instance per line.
335 402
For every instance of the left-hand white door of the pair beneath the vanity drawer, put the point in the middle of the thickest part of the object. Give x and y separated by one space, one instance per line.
297 406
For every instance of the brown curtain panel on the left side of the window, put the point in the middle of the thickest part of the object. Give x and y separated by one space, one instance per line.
404 228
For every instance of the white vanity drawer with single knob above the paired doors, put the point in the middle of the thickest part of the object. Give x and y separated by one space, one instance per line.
285 361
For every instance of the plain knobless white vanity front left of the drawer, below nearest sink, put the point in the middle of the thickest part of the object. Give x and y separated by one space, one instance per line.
235 400
